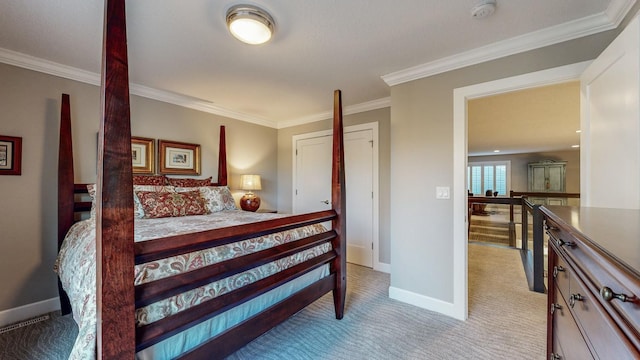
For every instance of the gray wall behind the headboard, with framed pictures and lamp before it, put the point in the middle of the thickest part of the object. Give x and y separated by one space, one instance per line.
30 103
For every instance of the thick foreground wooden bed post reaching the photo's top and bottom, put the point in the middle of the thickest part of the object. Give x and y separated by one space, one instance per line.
114 197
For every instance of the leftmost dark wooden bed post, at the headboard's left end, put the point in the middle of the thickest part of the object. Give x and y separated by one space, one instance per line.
65 187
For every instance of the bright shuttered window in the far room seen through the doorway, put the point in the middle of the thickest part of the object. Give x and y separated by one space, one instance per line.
489 175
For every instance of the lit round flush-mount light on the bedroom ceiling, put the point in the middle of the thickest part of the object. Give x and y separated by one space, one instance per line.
250 24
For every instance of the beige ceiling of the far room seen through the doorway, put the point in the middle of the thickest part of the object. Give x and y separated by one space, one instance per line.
550 114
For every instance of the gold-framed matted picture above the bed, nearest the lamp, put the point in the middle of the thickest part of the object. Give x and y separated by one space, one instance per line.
179 158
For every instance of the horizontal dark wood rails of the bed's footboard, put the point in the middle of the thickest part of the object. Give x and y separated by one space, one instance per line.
157 290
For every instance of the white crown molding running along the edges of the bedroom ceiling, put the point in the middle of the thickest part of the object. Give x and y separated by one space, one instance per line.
607 20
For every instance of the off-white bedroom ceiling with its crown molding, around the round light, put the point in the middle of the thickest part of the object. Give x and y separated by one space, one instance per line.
181 52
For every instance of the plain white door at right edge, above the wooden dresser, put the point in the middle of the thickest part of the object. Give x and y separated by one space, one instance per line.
610 137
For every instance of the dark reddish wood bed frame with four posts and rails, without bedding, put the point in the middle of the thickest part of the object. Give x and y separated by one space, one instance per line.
117 297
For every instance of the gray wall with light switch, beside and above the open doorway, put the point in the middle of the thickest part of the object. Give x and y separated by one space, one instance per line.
422 147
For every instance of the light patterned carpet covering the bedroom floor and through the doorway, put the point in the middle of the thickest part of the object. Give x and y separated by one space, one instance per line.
506 321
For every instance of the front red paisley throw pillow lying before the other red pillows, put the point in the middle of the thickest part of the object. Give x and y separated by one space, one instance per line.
167 204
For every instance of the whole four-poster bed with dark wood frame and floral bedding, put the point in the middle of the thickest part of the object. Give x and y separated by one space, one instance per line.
310 262
